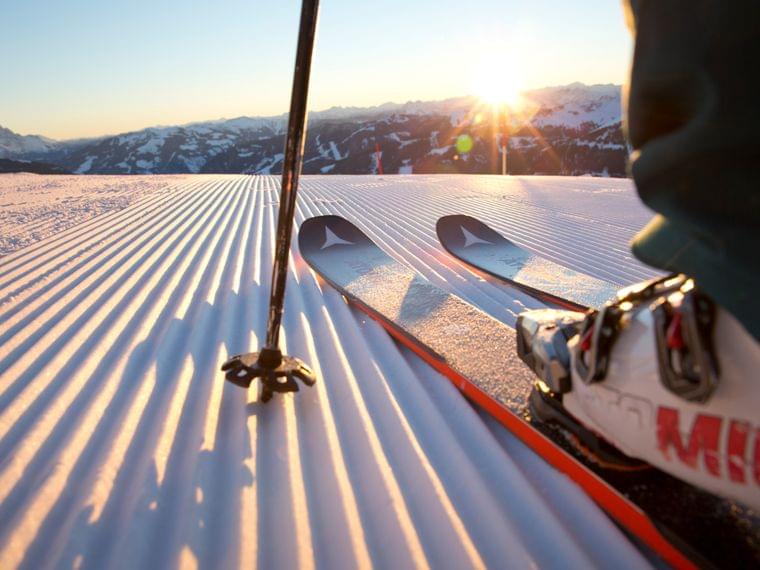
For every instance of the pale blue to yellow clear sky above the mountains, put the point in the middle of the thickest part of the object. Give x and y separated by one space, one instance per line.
84 68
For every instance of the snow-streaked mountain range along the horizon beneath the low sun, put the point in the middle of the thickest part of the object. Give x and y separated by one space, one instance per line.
573 129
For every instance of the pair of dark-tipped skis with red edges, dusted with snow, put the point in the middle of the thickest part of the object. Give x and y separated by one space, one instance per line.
682 525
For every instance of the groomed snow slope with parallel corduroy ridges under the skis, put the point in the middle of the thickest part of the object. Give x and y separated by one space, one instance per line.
122 447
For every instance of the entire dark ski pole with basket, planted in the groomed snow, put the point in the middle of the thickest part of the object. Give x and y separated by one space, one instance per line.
278 372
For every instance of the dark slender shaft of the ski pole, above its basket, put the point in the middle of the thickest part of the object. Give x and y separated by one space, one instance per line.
294 143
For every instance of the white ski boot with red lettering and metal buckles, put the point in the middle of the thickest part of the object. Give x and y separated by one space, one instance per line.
663 374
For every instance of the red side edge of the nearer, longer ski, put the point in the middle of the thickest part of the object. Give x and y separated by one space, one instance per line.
615 504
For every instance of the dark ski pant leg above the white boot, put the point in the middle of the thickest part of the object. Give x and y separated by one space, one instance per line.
693 120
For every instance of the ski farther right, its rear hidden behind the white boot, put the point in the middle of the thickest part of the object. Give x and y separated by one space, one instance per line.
481 247
